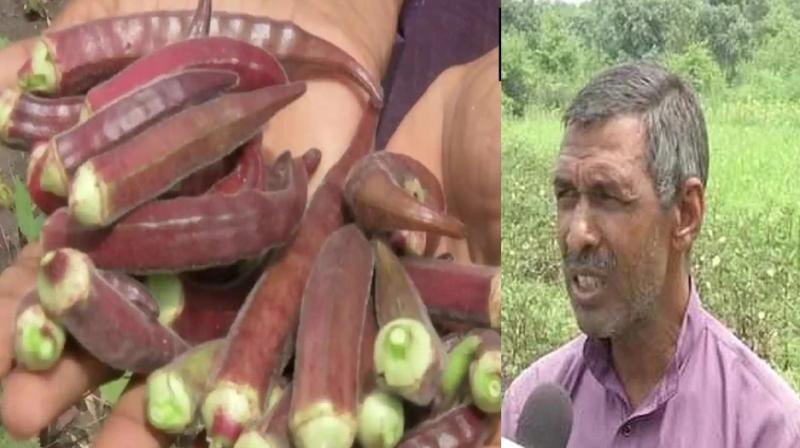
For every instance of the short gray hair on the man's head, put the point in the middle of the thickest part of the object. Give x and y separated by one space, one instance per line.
677 147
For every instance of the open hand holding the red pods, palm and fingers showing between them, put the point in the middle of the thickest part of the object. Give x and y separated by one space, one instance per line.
325 117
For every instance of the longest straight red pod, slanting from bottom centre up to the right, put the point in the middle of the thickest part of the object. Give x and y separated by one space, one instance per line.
269 317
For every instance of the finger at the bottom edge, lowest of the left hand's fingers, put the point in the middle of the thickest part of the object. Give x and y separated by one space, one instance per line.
127 426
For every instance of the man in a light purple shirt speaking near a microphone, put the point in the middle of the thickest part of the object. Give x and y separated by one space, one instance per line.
653 367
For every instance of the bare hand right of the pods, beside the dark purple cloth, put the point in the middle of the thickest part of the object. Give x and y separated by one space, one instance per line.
454 130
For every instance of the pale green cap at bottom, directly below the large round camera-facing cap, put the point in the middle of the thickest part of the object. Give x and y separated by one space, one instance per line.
381 421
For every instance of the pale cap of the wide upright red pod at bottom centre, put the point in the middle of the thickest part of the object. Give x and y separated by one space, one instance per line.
321 426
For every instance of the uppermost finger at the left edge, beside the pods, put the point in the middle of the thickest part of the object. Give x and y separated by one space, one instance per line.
16 281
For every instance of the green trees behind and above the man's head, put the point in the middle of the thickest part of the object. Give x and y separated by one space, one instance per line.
724 47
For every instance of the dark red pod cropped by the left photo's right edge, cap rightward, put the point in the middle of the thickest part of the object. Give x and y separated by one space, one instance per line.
454 291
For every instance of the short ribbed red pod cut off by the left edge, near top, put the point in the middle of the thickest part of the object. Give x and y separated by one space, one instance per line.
26 120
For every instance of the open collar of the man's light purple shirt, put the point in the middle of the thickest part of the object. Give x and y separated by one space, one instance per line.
597 355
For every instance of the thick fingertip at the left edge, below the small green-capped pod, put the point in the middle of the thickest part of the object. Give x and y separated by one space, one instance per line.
32 400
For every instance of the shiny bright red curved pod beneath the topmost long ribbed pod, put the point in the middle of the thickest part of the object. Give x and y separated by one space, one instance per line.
255 67
